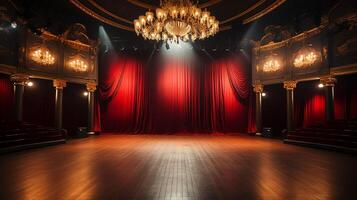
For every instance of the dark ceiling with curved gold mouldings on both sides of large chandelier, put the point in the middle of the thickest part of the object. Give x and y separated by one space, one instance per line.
121 14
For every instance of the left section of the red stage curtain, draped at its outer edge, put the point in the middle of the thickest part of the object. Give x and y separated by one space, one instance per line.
122 96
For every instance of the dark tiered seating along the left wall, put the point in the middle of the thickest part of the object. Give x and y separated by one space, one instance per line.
19 135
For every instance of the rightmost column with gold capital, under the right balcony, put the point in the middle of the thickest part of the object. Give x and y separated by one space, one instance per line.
329 84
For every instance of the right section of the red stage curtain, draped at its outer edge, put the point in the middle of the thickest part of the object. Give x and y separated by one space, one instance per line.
226 92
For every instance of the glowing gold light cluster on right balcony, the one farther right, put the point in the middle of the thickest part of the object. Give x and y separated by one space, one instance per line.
306 57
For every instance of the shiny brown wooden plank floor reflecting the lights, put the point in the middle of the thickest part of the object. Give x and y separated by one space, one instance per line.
177 167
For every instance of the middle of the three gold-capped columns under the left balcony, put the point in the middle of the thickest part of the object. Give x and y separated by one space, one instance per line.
59 85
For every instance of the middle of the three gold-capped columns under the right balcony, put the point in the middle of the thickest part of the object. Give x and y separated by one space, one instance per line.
290 86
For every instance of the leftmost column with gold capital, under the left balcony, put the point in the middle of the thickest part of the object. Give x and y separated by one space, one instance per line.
19 81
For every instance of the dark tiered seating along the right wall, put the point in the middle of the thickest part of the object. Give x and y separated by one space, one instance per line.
338 135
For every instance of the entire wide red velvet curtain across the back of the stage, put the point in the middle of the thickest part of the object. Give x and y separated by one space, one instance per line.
174 96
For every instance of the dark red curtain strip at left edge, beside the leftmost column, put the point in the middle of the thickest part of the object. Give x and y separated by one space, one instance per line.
6 97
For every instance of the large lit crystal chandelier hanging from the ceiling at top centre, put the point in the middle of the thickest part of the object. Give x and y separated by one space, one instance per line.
176 20
